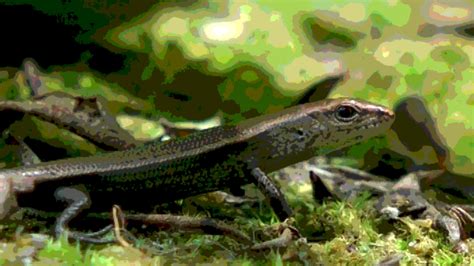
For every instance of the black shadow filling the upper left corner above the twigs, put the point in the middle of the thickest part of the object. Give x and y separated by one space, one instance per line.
29 33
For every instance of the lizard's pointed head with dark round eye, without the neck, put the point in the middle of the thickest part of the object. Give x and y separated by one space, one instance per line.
344 121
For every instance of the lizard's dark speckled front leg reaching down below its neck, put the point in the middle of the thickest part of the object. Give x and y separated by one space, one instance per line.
272 192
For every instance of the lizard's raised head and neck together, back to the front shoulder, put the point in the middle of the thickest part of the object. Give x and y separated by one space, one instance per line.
300 132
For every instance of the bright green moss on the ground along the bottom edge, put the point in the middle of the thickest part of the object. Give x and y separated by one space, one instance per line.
338 233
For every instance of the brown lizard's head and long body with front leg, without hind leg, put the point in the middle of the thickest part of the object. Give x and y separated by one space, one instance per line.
209 160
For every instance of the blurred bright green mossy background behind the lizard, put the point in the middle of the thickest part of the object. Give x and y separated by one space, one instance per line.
241 59
